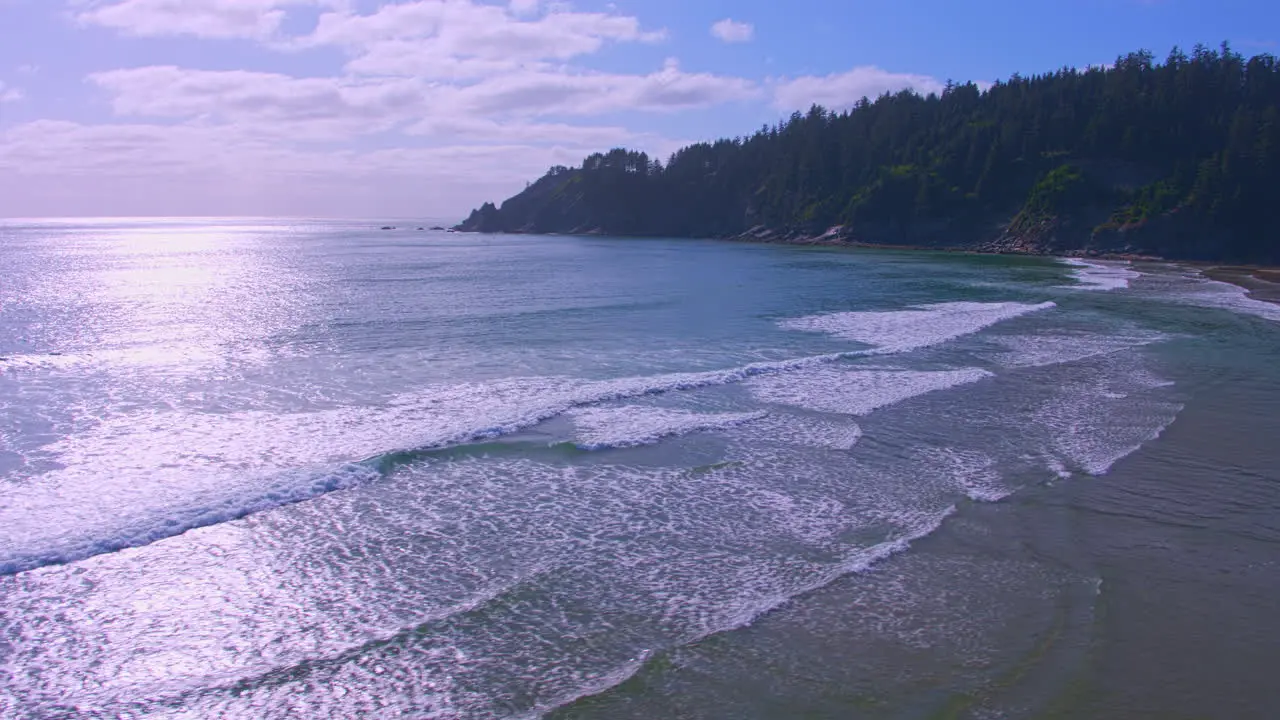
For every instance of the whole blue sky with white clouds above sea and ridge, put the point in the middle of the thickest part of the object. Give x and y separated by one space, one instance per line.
428 108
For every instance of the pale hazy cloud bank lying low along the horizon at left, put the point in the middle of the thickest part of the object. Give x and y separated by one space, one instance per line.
48 168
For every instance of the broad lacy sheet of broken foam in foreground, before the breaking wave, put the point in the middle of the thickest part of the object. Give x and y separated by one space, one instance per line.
556 535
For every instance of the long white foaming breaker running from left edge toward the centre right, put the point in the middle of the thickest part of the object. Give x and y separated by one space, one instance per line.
140 479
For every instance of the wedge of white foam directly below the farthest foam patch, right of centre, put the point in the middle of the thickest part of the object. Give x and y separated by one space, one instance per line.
857 391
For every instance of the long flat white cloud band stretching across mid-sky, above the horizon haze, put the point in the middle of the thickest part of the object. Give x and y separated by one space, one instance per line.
346 108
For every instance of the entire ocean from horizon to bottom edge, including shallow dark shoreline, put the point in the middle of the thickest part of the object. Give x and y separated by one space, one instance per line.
316 470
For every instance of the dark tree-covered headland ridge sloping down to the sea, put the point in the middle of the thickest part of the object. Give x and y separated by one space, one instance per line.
1180 160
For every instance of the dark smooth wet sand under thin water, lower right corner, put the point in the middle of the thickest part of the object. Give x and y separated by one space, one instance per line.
1153 593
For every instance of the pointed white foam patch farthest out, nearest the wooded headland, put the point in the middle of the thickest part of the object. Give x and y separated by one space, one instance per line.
922 326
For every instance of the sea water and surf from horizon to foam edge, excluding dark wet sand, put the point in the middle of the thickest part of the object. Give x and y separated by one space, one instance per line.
266 470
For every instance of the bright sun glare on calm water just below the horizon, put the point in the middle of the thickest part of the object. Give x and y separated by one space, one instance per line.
184 295
